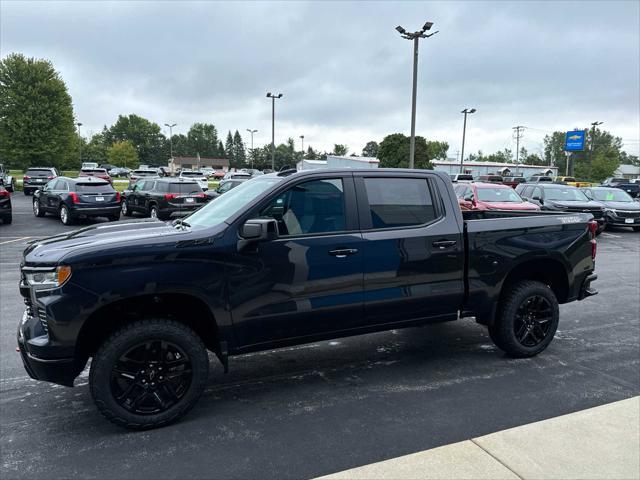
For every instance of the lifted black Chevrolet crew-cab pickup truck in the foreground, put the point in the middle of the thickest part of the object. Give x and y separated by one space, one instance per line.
286 259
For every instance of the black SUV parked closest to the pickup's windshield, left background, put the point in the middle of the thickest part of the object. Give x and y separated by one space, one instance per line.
163 198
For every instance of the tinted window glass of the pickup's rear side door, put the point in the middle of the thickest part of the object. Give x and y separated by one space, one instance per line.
399 202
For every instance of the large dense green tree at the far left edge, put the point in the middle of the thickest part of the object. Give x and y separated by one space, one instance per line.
36 114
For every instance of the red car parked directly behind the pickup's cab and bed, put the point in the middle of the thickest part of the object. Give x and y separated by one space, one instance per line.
490 196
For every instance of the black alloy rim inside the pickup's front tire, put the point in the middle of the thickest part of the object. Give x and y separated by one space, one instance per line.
151 377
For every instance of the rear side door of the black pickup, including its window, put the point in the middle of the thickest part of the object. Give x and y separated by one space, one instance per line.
413 250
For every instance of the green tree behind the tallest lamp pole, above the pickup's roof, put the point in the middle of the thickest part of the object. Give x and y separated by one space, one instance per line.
394 151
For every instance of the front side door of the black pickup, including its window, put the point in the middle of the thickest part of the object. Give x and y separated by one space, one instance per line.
308 281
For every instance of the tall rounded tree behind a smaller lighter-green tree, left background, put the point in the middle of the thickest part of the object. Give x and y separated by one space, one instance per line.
145 136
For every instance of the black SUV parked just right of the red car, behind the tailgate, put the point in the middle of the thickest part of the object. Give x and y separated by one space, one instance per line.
561 198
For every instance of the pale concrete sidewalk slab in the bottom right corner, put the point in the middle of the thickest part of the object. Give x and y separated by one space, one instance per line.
598 443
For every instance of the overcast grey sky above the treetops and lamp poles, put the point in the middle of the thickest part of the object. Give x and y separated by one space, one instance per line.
344 71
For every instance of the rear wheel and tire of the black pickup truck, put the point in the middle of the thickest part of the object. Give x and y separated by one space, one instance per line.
527 319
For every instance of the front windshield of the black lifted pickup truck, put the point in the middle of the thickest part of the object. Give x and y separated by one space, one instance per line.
223 207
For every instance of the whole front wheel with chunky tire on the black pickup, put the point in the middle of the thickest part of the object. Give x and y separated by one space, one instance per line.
154 406
